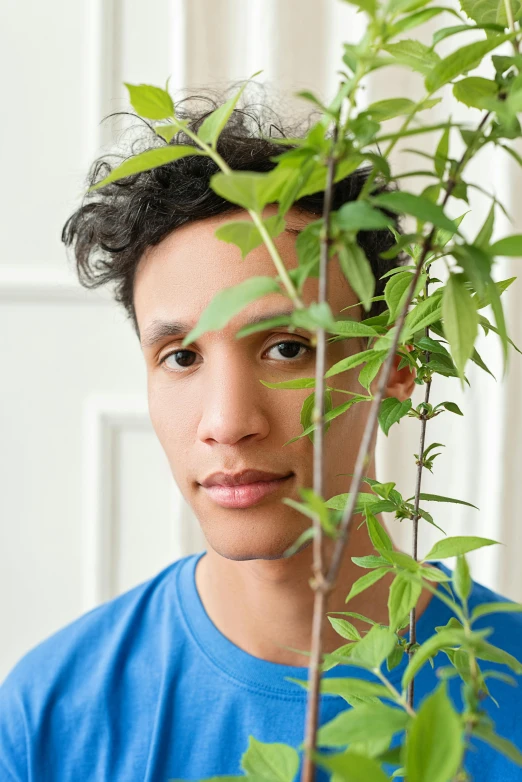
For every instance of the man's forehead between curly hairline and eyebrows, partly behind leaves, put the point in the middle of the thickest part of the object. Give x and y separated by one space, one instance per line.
178 278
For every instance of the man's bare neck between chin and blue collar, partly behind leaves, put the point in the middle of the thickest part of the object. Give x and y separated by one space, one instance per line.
263 606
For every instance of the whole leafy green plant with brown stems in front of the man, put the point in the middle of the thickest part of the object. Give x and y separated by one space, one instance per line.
432 329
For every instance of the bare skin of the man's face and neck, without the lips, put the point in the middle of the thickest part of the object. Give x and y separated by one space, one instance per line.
211 413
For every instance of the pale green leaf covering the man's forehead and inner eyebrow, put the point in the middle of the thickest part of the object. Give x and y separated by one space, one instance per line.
228 302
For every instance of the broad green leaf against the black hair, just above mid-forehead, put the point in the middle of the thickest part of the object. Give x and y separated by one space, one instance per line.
251 190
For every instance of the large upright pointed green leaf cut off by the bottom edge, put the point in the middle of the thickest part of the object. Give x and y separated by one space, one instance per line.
434 755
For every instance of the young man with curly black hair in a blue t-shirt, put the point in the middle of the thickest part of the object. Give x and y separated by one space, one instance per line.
173 677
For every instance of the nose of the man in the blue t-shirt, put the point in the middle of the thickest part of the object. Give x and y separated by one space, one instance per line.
234 402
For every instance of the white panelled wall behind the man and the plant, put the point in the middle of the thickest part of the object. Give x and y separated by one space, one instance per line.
87 504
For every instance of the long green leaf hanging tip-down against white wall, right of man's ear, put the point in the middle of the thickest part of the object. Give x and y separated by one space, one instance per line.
460 320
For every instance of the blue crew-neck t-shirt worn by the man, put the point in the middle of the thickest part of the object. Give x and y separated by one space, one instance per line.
146 688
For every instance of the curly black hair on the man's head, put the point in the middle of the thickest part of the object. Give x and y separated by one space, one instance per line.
114 225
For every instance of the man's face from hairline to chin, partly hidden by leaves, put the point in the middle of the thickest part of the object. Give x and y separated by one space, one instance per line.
207 405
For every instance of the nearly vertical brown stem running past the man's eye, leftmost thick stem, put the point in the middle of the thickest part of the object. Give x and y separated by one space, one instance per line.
318 583
